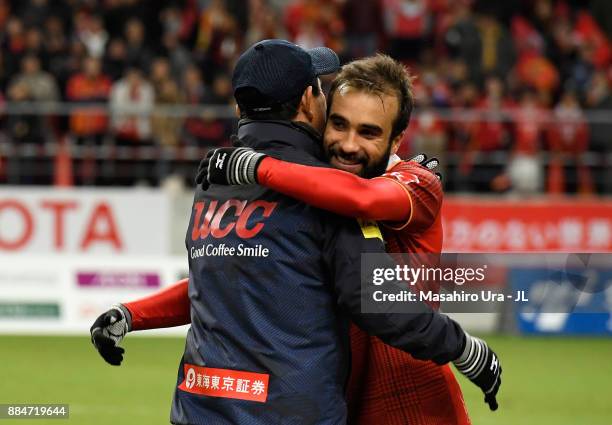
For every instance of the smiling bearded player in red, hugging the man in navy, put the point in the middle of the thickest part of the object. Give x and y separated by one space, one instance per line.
369 108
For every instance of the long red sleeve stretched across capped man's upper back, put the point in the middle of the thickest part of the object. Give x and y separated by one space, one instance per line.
336 191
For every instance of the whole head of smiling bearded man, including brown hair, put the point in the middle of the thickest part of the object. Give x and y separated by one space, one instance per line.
370 102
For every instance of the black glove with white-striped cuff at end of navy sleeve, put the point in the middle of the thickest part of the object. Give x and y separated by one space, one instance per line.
481 366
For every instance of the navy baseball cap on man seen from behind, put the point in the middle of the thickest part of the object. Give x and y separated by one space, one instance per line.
281 70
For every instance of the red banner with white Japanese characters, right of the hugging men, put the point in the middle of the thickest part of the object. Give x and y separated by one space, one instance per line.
487 225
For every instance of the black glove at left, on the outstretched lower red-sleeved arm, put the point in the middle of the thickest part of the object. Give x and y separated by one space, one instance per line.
107 332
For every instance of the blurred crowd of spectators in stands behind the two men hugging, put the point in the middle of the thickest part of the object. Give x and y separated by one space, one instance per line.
535 75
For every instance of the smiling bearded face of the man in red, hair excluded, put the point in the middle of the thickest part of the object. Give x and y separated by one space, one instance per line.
357 136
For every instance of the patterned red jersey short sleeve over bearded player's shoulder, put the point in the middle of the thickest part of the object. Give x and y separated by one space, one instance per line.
425 192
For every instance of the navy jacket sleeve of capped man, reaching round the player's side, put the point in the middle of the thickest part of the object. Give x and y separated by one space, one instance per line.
425 334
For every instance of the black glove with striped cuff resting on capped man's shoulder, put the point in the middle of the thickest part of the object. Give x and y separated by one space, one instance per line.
229 166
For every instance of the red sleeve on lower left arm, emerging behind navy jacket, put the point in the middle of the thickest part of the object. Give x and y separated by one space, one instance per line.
164 309
